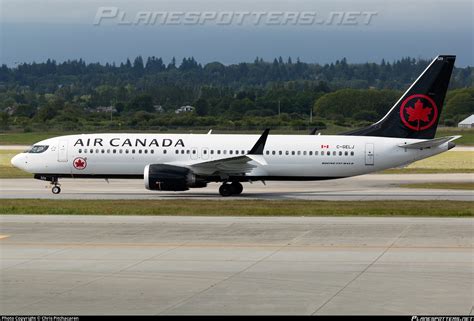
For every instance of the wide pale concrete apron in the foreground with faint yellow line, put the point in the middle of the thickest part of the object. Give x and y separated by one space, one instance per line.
201 265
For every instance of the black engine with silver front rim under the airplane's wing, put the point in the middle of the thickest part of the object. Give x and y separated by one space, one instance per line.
163 177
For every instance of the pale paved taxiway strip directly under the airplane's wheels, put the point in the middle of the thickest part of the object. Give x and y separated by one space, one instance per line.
365 187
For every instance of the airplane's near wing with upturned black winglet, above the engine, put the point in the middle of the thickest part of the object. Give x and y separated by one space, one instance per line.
236 165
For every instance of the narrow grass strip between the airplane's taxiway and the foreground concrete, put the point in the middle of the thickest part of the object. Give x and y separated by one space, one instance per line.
238 208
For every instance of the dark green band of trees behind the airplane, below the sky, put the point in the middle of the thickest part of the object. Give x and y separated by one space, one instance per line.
74 95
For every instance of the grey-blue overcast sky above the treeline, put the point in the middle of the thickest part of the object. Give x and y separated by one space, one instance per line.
37 30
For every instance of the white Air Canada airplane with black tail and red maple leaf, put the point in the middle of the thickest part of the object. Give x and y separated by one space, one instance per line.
175 162
